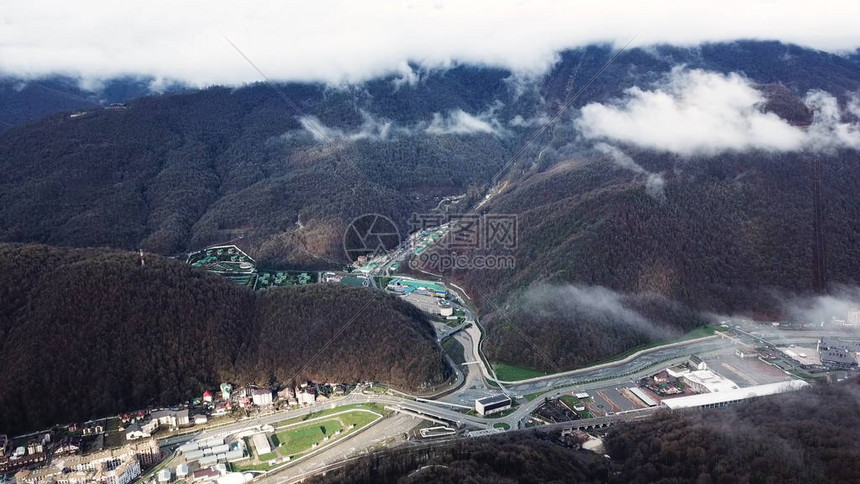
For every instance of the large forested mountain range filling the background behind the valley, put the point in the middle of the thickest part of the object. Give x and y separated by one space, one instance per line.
672 233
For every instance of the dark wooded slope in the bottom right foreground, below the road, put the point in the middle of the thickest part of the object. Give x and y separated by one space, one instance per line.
806 436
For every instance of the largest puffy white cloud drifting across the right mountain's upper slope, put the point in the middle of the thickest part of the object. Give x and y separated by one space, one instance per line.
697 112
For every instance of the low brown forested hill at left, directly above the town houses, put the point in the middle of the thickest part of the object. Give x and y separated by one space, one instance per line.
87 332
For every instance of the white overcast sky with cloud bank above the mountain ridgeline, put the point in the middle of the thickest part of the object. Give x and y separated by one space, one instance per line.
333 41
